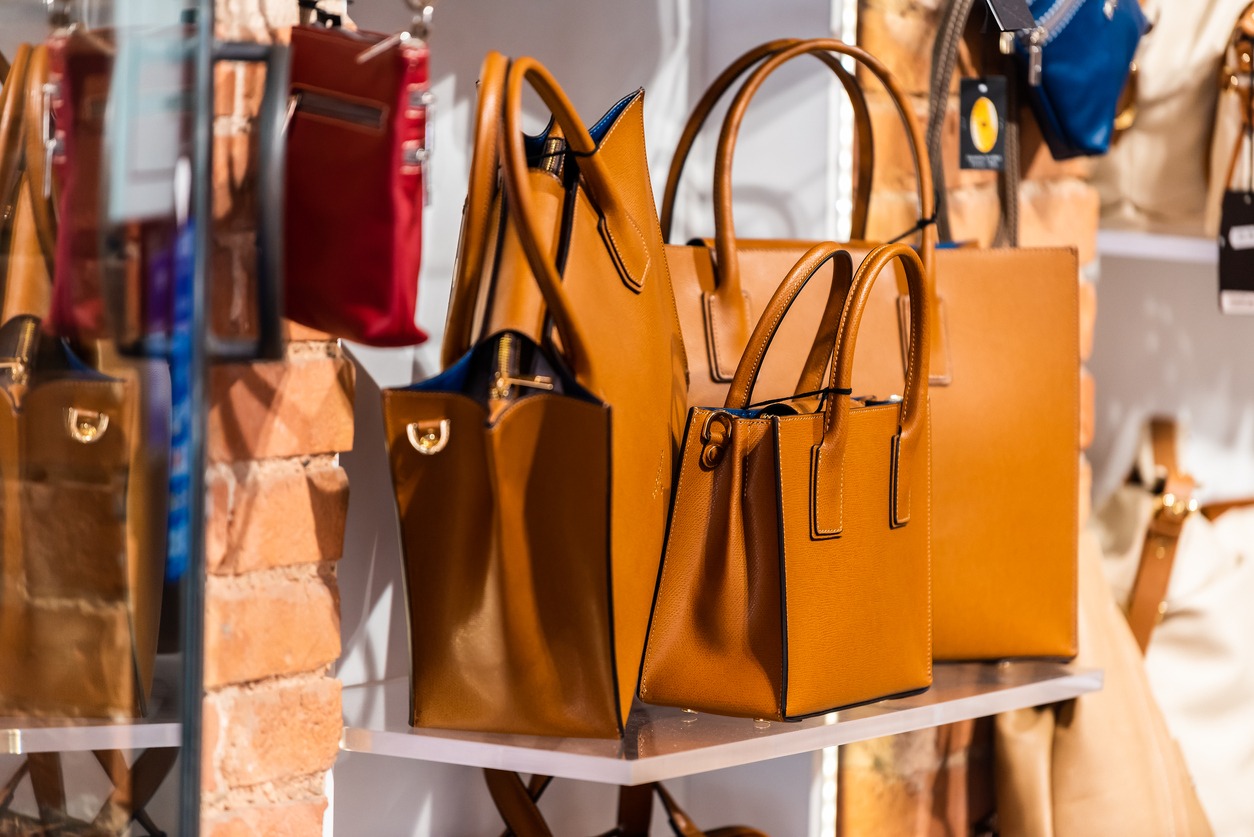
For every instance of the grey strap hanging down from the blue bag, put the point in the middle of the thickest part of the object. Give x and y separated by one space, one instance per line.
945 58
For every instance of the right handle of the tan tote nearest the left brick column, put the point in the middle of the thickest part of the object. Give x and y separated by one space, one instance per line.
626 240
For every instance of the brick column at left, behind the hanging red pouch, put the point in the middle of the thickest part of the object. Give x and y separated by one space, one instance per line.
277 508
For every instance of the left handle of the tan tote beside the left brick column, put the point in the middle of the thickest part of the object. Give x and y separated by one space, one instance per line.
481 191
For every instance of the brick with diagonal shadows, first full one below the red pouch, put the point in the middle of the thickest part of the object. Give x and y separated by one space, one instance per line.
280 410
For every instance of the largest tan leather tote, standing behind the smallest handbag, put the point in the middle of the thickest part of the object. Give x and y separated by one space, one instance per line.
1008 334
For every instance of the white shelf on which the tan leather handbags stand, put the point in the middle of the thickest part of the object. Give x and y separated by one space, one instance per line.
668 744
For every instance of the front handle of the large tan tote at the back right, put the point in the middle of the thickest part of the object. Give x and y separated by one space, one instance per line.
725 234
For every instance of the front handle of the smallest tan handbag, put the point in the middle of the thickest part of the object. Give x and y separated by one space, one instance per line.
828 456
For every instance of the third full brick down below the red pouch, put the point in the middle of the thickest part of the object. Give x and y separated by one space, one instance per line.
270 624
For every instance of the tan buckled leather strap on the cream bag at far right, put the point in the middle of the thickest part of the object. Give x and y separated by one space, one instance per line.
1174 503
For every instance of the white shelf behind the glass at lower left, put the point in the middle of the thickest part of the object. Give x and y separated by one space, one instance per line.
161 728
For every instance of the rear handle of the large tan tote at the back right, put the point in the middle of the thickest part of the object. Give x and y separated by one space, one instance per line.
719 88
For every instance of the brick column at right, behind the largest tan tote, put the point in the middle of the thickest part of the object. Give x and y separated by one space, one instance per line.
940 781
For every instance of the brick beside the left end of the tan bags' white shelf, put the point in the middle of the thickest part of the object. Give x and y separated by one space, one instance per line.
278 731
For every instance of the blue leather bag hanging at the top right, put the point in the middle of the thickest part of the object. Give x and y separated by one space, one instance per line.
1078 61
